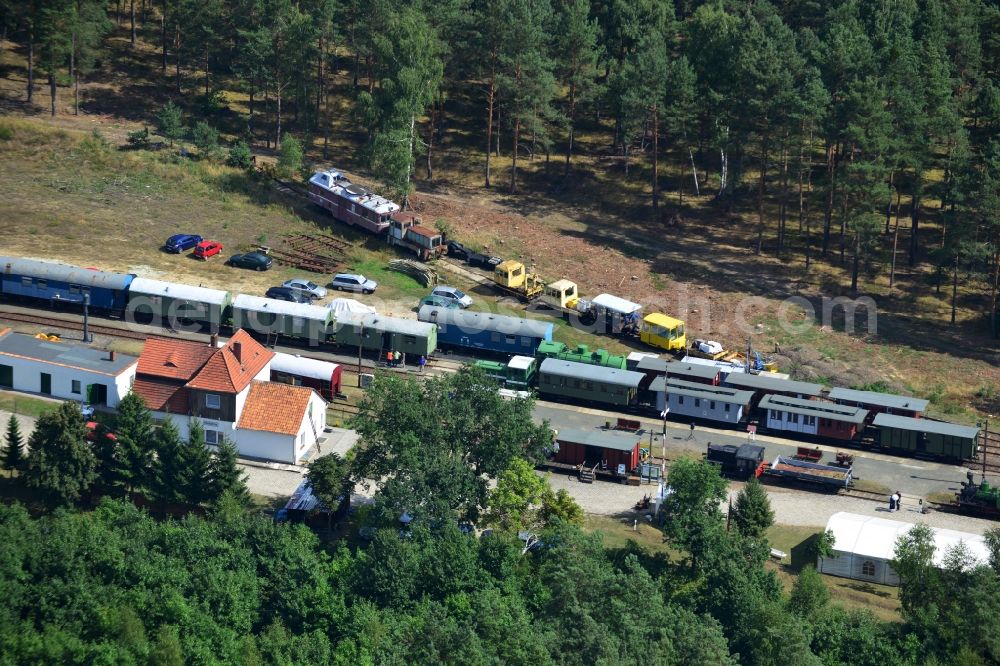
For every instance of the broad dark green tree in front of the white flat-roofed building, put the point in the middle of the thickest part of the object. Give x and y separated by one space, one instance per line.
61 465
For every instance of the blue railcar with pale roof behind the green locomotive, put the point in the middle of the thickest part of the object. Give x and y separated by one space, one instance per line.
487 331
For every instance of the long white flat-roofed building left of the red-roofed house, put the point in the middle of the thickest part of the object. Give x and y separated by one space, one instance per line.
64 369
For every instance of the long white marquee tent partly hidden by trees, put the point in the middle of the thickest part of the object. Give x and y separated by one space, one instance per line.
865 545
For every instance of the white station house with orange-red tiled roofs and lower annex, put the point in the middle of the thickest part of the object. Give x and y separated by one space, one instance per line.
227 389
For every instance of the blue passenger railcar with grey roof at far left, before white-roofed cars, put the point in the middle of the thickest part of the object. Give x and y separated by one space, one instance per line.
44 281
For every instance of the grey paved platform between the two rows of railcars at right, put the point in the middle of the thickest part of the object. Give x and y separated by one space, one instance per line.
911 476
